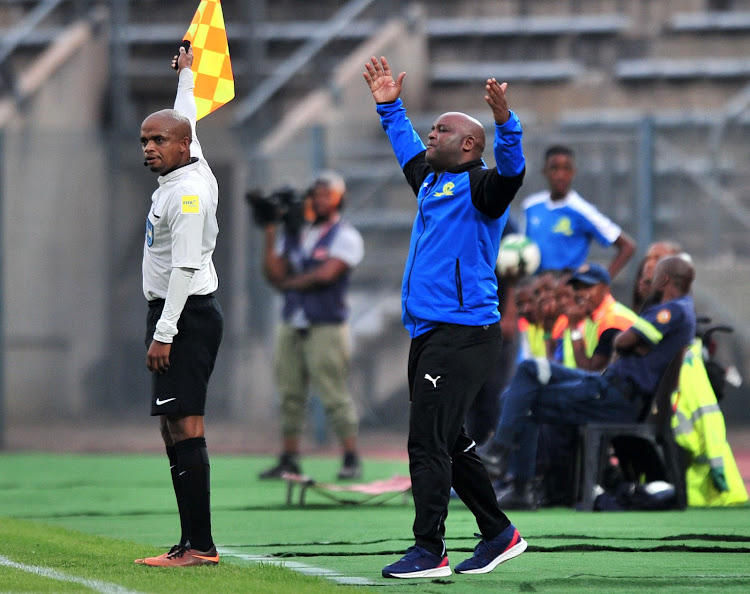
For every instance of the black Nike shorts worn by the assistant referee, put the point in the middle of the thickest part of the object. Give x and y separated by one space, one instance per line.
182 389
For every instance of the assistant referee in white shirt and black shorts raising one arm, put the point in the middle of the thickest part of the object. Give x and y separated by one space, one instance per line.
185 322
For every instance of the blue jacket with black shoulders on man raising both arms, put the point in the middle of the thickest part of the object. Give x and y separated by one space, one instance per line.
450 271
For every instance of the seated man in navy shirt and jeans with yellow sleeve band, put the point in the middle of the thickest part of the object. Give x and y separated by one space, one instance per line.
544 392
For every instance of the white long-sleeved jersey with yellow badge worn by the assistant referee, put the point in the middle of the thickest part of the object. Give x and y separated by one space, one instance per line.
181 226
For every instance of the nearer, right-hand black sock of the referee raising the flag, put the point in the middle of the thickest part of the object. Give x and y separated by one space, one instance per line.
194 475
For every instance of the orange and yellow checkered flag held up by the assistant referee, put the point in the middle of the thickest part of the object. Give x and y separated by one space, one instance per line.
212 68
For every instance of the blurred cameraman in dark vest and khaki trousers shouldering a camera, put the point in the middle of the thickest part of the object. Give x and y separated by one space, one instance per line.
310 263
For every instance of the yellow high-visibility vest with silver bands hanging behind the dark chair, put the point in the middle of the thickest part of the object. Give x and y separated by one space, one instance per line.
698 426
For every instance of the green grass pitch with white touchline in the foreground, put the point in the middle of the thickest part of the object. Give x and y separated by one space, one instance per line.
75 522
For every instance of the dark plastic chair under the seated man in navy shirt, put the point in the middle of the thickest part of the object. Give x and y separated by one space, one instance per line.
650 439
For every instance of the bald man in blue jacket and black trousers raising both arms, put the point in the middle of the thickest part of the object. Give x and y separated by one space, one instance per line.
450 308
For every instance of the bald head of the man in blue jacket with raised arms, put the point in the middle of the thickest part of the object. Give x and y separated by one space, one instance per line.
455 138
